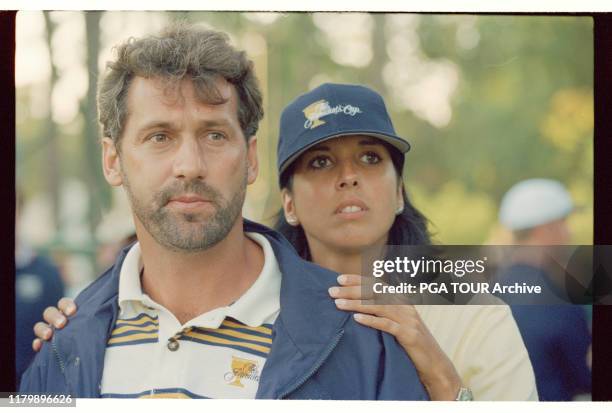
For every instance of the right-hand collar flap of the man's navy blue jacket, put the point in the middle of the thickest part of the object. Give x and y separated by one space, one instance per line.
309 324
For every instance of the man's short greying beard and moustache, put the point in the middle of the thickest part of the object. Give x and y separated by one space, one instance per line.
185 232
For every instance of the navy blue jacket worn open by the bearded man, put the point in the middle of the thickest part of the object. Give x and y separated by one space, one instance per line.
318 352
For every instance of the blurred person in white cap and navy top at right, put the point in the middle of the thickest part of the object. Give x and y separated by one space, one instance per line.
557 337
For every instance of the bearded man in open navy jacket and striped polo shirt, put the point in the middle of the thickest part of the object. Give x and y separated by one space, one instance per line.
205 304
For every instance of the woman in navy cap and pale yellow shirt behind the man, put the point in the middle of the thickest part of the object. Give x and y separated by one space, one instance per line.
340 166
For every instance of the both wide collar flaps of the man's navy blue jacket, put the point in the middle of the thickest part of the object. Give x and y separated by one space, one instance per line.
307 325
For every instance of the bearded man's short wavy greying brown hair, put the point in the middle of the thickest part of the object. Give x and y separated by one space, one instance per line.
179 51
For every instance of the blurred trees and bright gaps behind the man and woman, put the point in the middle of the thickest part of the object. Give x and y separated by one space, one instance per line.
485 101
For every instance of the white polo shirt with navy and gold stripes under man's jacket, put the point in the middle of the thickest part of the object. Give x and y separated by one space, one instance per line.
219 354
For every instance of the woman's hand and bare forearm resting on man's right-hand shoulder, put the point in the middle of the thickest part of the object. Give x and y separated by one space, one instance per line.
435 369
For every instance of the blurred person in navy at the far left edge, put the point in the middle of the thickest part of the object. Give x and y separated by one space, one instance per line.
38 284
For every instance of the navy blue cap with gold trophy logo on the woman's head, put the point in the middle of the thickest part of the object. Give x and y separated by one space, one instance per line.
329 111
